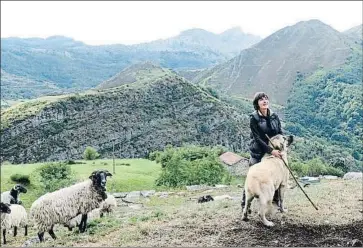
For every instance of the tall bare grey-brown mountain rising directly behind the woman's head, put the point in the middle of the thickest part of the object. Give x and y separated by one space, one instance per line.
272 64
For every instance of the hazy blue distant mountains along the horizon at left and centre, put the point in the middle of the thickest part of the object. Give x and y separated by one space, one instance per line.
74 66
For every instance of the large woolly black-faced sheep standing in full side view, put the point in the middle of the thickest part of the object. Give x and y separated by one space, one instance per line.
60 206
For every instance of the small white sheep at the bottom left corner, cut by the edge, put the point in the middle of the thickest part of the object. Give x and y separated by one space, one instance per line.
16 218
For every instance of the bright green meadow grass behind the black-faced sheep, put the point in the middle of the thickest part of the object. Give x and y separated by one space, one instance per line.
139 175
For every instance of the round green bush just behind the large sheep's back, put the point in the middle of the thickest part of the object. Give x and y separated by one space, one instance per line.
54 176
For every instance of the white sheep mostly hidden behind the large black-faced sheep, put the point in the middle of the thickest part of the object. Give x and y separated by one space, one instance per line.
107 206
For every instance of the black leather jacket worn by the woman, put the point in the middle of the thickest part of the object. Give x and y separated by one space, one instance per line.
261 125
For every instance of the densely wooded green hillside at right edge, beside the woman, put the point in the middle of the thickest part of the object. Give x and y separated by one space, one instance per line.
327 105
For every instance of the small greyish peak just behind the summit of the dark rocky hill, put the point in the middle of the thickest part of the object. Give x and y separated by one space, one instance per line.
136 73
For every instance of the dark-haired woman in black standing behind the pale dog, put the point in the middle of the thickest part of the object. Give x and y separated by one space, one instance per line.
262 122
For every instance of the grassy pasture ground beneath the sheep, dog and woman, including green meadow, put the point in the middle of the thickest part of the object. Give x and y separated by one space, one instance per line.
178 220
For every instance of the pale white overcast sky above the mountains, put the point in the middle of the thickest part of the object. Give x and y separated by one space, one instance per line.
131 22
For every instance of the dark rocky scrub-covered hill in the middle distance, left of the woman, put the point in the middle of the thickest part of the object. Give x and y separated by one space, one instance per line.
137 118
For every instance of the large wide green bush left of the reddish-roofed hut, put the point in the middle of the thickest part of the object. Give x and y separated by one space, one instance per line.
191 165
